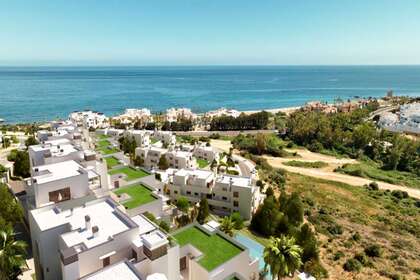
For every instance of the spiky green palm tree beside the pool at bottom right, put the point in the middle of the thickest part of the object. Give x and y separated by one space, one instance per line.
283 256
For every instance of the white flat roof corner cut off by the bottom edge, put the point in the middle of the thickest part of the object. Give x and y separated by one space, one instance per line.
118 271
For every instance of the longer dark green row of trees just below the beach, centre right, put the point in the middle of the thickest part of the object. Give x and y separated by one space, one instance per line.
243 122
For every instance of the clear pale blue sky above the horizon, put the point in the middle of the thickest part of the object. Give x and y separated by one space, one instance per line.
200 32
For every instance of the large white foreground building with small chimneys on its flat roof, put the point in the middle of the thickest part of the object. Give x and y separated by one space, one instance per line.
82 240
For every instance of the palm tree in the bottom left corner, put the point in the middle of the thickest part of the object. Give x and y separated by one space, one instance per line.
12 254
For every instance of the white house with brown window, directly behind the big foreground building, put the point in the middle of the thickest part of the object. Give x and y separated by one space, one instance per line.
62 181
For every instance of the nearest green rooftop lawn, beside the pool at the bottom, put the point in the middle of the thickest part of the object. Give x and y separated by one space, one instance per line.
216 249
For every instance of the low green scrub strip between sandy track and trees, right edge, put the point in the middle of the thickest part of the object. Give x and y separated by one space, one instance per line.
370 170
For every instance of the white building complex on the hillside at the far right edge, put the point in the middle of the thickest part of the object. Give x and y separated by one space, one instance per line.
407 119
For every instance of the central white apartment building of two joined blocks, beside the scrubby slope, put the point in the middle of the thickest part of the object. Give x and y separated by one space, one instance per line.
225 193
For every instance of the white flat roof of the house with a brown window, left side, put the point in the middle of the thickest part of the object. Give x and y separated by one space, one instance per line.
57 171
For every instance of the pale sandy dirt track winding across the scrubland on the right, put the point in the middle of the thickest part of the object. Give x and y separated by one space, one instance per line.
327 173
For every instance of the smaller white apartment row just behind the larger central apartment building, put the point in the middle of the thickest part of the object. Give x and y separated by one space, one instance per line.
176 158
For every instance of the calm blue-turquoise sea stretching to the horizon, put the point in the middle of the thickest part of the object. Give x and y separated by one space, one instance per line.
29 94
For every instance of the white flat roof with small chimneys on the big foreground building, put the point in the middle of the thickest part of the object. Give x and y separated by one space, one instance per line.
102 213
